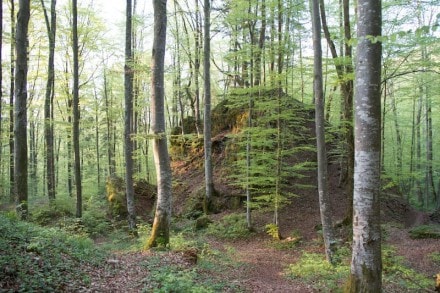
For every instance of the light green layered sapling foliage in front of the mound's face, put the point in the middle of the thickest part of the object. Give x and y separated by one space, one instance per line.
265 144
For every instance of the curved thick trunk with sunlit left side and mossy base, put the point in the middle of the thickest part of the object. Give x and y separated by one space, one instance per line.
160 233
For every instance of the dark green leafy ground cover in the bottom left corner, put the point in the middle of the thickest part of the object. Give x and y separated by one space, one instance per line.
44 260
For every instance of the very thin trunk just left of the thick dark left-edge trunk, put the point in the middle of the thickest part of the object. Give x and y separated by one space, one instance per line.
11 106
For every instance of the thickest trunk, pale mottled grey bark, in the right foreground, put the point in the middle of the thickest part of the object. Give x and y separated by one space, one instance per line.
366 265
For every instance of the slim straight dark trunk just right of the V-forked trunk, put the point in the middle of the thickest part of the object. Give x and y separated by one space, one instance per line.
76 114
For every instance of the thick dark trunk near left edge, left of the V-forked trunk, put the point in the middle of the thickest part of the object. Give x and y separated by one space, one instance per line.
20 111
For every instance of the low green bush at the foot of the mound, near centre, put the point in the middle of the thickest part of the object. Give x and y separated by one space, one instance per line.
232 226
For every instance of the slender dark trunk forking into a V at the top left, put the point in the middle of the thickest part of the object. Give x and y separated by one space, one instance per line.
48 102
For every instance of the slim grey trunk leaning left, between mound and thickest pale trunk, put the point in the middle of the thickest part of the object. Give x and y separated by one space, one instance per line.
324 197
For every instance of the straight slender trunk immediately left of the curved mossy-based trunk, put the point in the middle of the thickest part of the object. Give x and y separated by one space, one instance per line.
128 125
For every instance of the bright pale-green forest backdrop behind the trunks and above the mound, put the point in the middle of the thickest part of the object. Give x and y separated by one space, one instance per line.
282 52
